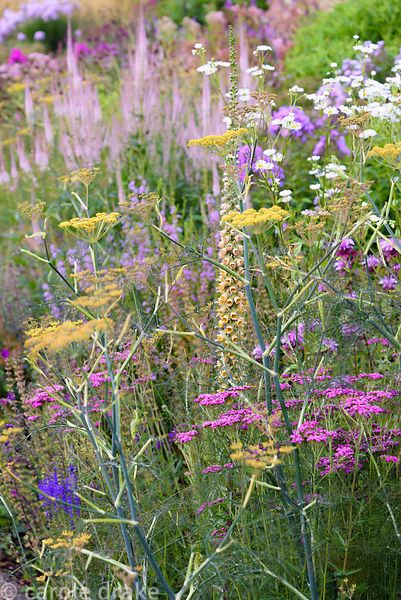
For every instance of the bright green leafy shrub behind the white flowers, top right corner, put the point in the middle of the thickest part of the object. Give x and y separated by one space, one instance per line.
328 36
